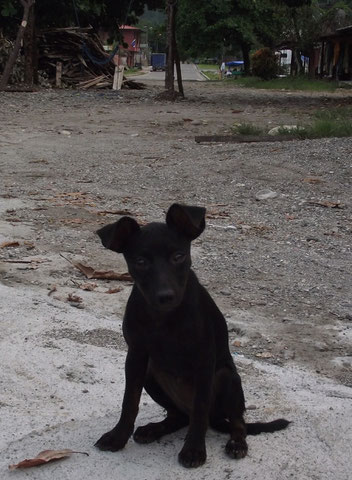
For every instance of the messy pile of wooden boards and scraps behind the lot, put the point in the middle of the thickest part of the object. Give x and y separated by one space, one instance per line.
80 56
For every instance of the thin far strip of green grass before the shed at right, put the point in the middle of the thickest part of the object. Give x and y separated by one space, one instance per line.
288 83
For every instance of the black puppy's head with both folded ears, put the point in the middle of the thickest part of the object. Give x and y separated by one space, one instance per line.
158 254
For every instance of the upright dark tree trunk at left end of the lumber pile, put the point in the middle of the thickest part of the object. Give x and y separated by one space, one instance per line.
30 51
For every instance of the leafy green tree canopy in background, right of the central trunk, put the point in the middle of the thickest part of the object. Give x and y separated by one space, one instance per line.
208 28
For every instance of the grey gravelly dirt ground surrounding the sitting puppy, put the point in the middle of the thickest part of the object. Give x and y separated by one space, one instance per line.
280 269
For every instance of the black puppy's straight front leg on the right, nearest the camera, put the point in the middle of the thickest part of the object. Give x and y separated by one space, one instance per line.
193 453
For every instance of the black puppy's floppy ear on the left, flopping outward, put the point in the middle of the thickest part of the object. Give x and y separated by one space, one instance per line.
117 235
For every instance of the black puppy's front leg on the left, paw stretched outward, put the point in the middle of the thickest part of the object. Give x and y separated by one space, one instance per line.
135 371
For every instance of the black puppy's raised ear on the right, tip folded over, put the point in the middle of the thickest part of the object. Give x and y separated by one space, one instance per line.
187 220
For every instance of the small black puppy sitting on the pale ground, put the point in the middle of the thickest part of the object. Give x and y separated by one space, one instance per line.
177 342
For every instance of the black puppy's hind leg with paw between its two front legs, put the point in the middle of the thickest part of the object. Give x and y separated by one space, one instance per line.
174 420
